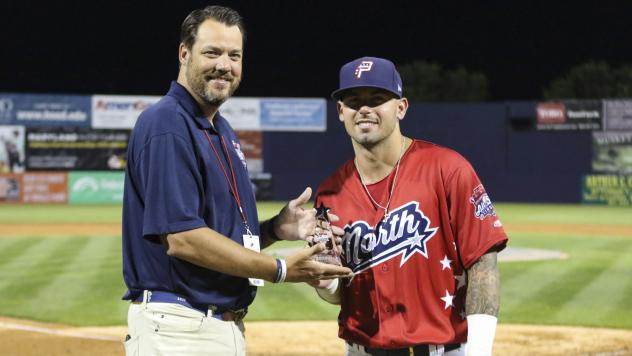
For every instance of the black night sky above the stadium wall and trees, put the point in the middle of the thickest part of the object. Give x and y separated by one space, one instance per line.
295 48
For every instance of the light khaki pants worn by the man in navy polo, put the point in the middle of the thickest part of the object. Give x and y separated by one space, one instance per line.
173 329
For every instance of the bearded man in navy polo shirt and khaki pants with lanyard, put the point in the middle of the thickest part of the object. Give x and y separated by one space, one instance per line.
189 215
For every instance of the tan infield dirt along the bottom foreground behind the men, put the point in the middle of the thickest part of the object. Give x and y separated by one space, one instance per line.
304 338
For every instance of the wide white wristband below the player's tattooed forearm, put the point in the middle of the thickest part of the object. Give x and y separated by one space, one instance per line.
481 329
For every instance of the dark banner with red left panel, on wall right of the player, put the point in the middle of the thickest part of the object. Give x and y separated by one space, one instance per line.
572 115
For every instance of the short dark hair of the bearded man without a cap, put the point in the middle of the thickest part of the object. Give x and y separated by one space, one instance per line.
221 14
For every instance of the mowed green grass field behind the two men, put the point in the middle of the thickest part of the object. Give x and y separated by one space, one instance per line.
78 281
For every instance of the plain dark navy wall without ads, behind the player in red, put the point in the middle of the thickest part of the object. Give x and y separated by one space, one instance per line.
515 162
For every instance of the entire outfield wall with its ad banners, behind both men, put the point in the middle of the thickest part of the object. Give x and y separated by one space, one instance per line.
563 152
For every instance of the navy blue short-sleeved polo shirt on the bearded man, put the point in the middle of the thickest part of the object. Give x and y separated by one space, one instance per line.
174 183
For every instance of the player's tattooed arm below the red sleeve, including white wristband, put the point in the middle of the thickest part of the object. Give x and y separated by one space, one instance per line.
481 305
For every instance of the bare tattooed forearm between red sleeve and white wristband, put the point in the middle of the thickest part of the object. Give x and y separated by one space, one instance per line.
483 288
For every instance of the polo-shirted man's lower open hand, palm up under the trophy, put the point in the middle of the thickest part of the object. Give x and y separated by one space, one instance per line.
301 268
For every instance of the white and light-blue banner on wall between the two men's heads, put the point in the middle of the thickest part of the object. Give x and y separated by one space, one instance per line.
272 114
